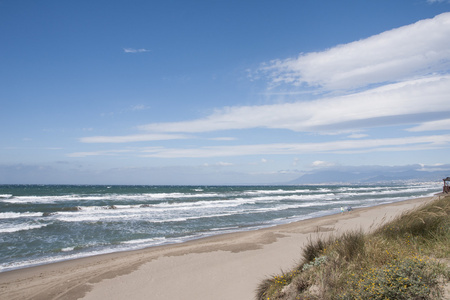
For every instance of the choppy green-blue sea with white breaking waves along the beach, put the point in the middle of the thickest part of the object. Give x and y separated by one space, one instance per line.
41 224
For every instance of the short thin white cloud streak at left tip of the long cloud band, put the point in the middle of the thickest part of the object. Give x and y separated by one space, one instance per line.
132 138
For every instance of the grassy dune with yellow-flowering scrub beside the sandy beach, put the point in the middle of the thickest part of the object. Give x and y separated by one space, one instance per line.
407 258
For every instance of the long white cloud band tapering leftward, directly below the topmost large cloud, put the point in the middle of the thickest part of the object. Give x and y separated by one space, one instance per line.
353 111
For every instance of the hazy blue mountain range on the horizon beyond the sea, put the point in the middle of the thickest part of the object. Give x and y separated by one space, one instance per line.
370 175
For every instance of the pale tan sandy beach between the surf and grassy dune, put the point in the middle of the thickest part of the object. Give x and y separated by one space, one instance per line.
227 266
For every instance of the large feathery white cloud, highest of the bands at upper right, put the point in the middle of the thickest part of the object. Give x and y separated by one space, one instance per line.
397 54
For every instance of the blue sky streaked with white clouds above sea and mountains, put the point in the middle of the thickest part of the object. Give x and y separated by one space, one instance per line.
220 92
